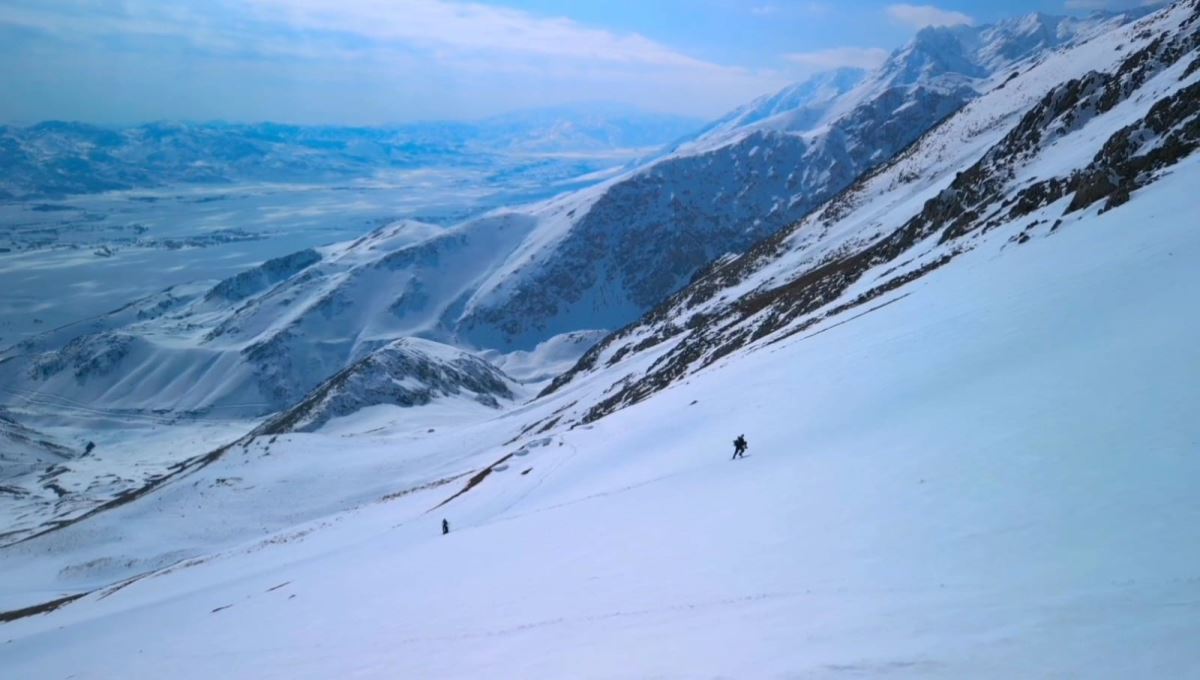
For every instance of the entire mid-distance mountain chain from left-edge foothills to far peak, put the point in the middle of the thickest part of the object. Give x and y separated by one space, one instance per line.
512 280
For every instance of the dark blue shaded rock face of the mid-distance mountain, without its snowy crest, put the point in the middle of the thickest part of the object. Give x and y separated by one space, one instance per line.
649 236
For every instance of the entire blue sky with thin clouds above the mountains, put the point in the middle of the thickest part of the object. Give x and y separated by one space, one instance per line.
377 62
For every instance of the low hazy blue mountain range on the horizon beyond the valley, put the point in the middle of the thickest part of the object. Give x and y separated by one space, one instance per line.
56 159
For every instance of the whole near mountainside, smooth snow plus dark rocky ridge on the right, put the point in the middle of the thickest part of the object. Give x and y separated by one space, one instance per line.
968 386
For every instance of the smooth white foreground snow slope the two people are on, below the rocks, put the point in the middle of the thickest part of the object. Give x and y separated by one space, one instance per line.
989 478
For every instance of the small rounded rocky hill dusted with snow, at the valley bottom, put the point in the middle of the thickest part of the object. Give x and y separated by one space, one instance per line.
407 372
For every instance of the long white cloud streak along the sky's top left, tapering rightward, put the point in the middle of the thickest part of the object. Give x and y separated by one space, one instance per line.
295 27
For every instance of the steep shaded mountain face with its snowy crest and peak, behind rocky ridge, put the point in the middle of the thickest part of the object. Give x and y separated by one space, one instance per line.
644 236
